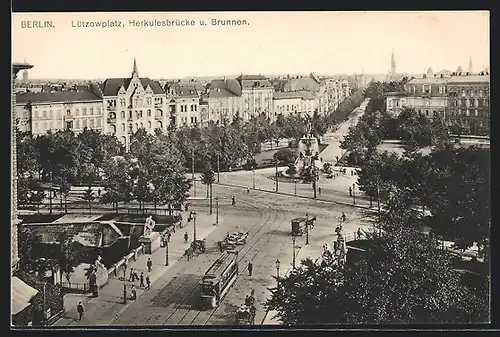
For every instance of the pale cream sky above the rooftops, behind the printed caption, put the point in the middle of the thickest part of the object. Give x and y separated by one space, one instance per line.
269 43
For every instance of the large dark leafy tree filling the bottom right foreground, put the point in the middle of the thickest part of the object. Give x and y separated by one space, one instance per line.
400 278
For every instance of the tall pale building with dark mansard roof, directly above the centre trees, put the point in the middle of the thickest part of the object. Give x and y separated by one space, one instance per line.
257 96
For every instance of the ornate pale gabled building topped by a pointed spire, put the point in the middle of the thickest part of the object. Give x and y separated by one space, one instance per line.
133 103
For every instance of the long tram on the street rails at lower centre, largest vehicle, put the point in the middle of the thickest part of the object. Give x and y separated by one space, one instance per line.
219 278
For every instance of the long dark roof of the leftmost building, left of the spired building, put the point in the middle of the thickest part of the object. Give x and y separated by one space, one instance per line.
56 96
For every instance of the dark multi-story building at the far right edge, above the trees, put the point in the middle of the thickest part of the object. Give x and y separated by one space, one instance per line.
469 103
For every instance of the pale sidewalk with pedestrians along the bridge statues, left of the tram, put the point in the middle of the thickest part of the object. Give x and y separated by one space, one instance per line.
109 305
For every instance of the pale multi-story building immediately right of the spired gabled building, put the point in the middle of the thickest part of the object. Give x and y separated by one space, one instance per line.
183 103
